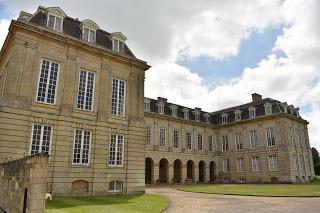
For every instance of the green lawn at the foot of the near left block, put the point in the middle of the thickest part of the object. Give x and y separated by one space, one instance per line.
147 203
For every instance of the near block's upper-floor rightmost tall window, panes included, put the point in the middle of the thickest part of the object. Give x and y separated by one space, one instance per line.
118 97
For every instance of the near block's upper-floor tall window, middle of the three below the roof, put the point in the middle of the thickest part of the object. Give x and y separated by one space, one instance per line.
85 90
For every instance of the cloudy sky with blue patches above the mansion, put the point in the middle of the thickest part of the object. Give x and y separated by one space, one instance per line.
213 53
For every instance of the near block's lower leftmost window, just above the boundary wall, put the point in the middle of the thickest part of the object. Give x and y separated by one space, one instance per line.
41 139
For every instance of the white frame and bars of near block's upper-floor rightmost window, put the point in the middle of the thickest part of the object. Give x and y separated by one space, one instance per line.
117 112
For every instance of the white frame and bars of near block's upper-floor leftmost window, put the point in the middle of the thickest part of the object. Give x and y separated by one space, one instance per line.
47 83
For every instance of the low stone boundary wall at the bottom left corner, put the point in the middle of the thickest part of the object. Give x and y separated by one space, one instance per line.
26 176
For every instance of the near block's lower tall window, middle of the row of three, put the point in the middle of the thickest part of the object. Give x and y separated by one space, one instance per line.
81 147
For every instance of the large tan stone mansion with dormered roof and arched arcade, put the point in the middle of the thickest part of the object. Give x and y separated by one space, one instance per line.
76 92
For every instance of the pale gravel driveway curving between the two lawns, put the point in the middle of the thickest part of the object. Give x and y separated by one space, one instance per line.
188 202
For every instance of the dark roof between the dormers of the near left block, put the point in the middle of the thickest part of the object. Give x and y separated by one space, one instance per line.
72 27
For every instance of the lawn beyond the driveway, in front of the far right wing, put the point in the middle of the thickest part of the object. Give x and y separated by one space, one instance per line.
311 189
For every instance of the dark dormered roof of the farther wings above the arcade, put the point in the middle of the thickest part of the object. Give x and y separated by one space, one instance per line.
215 117
